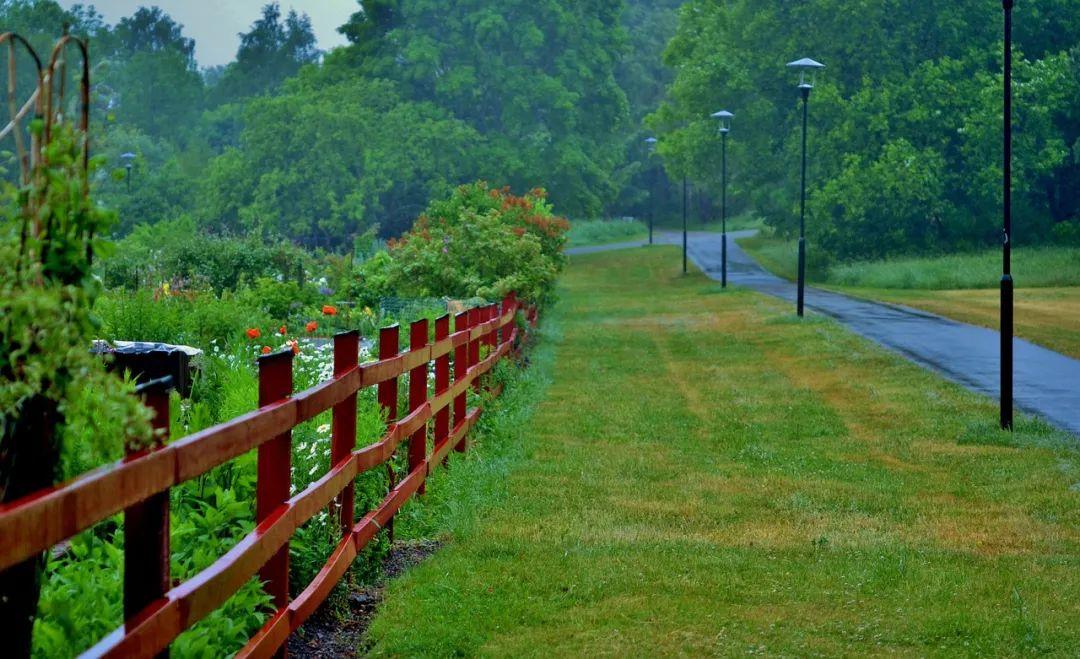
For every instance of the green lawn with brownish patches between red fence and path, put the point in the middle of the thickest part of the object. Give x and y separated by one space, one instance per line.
708 476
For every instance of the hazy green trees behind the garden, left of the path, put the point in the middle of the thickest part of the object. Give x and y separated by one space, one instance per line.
288 142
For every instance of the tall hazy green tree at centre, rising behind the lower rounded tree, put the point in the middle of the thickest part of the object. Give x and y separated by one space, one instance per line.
537 79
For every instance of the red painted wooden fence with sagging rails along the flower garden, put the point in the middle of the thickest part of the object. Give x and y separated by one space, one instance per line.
157 611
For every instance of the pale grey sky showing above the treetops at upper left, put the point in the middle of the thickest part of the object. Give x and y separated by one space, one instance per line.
215 24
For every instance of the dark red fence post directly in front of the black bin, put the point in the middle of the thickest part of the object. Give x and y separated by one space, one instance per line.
146 523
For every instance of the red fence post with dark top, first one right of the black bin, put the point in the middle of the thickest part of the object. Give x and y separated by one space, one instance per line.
275 469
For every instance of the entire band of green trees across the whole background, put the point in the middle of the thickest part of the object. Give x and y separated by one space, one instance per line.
906 130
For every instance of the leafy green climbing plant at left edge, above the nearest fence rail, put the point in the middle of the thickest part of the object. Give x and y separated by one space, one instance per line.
47 234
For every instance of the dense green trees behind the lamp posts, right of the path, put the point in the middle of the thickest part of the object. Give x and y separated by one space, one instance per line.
906 123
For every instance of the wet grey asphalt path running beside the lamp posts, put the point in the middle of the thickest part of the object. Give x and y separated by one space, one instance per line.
1047 383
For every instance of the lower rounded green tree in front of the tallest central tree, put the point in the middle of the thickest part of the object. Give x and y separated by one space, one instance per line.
292 179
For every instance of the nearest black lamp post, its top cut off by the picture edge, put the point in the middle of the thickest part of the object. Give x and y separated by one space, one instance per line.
1007 281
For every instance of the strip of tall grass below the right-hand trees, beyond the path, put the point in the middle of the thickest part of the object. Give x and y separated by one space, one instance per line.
1033 267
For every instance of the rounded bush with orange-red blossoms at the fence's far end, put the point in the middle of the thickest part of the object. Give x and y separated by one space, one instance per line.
481 243
